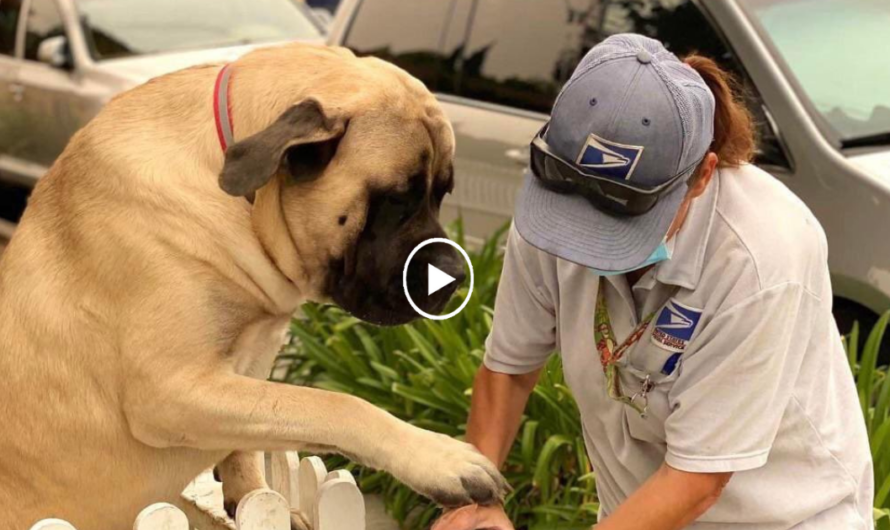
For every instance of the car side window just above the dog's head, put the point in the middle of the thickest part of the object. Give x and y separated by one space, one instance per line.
421 36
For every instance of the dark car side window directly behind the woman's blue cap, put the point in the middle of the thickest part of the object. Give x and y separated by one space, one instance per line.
520 52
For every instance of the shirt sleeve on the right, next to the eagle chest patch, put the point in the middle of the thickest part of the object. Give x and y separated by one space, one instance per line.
736 382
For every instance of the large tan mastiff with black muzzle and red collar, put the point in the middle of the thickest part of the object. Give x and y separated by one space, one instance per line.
149 286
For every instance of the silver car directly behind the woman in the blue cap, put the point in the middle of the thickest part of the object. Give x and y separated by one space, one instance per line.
816 73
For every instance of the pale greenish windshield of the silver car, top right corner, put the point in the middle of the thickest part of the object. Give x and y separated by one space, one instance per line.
839 52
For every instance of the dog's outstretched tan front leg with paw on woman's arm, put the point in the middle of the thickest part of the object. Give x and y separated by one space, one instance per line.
221 411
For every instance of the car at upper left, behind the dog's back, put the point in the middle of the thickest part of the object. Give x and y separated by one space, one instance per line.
62 60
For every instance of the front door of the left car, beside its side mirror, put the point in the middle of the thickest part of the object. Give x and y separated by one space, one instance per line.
50 94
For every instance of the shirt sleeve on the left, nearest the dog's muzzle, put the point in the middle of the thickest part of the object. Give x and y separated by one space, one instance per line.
523 333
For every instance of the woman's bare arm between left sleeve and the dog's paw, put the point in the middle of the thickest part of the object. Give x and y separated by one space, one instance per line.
496 411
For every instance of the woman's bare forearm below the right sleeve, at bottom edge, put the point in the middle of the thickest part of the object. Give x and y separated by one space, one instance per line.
669 500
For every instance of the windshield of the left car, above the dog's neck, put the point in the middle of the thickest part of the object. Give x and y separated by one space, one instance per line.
120 28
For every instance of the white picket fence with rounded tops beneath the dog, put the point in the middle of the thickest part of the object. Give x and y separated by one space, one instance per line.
330 501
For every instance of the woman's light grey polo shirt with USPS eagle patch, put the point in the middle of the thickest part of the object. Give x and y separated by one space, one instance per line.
761 386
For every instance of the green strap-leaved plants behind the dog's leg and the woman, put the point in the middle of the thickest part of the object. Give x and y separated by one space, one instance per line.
423 373
